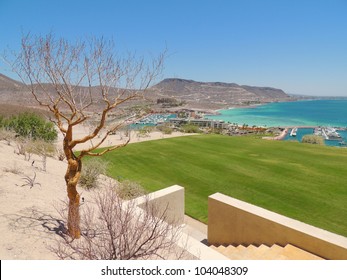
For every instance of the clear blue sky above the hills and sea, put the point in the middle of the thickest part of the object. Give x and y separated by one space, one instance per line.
299 46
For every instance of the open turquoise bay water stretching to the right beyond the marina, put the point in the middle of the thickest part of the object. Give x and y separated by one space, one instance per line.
298 113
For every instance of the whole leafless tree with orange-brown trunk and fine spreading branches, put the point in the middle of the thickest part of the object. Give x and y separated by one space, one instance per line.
68 79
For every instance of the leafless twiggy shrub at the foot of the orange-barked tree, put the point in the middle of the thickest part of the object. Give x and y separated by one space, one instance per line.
115 229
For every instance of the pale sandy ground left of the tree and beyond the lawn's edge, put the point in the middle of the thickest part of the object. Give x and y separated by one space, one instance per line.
29 223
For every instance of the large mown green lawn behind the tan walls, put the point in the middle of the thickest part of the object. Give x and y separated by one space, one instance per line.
302 181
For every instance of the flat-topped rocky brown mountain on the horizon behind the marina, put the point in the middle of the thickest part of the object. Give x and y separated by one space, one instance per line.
214 95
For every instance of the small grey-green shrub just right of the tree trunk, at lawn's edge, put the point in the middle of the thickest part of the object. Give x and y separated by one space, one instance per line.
91 170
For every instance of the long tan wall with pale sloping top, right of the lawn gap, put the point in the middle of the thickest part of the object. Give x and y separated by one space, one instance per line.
234 222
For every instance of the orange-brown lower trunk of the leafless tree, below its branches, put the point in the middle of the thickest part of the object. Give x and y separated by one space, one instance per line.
71 178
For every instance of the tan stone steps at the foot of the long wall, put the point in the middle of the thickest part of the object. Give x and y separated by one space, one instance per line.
263 252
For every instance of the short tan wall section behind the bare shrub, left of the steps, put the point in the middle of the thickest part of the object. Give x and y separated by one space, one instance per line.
171 200
